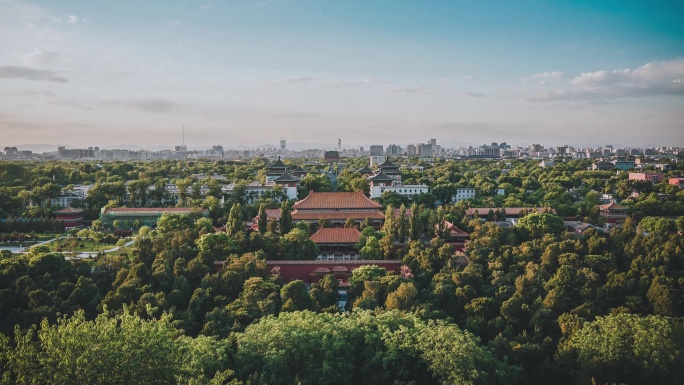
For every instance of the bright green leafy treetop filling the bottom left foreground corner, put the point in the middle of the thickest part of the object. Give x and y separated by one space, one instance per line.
78 351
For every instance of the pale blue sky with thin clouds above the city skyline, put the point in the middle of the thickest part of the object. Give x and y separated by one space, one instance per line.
247 73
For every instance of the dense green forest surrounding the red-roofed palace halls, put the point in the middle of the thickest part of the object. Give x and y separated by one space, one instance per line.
527 304
